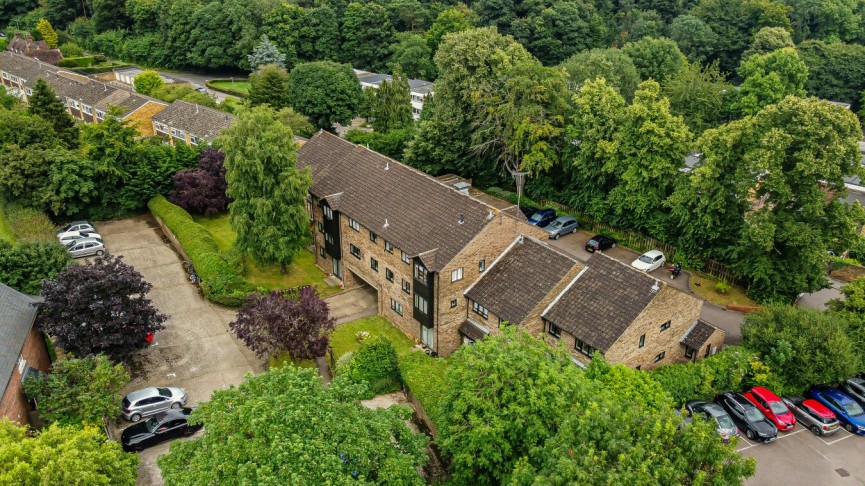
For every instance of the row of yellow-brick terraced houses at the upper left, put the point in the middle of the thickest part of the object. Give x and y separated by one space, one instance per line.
90 101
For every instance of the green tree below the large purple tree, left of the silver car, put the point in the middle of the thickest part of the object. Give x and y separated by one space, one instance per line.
79 391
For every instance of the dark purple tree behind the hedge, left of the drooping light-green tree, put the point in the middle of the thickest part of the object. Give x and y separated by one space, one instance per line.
202 190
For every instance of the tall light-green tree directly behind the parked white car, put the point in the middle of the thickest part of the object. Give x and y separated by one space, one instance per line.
651 147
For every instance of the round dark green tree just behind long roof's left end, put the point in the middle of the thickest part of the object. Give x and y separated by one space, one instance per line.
324 91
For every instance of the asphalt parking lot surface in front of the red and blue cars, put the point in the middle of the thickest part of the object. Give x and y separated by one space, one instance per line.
799 457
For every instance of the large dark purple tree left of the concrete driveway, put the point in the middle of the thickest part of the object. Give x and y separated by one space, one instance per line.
99 307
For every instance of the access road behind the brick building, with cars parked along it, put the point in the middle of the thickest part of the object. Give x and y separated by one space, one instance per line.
729 321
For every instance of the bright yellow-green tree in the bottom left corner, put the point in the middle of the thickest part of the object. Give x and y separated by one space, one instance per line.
63 455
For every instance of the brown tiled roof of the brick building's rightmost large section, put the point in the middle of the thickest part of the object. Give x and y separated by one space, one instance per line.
602 301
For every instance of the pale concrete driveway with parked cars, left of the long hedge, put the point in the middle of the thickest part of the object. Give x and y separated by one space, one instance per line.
196 351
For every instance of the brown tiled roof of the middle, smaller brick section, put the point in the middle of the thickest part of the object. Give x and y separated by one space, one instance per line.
520 278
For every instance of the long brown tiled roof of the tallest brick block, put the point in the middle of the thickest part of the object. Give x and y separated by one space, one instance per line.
412 210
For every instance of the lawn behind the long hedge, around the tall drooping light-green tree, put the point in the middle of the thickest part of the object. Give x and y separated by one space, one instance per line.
301 272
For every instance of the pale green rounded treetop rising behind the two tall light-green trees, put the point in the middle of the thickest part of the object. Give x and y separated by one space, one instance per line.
611 64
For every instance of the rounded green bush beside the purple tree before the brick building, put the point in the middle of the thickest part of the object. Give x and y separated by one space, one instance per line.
374 364
